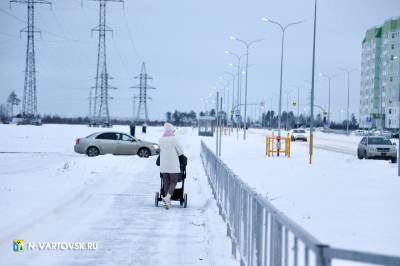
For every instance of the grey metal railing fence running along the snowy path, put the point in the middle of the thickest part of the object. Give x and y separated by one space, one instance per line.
261 234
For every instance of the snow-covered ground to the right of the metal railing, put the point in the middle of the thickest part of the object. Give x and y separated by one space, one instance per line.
343 201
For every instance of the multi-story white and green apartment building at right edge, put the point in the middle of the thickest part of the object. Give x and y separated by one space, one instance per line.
380 76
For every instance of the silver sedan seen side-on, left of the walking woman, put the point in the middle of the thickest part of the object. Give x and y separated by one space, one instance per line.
115 143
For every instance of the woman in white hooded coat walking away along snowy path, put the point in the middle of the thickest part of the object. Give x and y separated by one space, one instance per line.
170 150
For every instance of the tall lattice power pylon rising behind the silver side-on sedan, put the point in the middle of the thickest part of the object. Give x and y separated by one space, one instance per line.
101 114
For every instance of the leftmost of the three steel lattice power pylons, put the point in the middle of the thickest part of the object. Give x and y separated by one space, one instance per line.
29 101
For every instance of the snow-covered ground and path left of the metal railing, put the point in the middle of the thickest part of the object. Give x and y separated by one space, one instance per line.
49 193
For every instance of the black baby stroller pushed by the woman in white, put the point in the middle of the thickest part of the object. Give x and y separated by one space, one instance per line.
179 193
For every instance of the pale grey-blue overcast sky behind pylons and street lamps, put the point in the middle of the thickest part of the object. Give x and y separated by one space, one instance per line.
183 43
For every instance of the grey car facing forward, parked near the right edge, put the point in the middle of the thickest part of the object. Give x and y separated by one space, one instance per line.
375 147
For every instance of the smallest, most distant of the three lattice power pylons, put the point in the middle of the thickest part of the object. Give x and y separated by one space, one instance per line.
142 114
